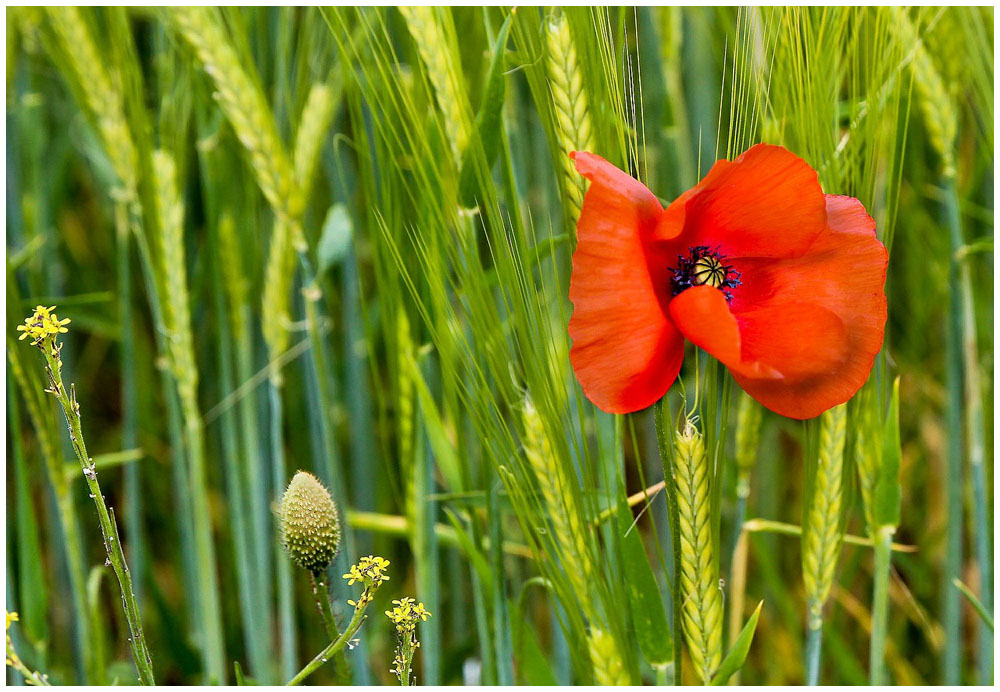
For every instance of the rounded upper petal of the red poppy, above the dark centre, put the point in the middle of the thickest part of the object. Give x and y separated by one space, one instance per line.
766 203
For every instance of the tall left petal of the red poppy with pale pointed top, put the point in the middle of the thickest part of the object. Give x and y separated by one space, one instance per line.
625 352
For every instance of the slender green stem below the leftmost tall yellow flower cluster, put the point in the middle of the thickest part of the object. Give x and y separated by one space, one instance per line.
116 556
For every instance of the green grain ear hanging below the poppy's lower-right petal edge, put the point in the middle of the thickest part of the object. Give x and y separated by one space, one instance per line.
821 535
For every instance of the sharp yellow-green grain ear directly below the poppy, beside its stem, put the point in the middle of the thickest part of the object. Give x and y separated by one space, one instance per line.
701 597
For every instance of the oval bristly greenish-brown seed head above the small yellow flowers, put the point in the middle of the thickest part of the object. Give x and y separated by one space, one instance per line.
310 527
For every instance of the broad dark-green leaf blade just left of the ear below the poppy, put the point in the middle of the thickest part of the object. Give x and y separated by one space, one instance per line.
645 602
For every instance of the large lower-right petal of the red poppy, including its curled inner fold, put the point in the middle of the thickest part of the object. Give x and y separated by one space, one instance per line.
796 315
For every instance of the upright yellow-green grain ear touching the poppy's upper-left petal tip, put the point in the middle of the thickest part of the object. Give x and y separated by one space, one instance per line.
572 117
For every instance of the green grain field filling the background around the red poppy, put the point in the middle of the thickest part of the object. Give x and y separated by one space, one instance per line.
340 241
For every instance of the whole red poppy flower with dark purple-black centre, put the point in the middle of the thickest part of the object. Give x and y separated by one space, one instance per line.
781 283
